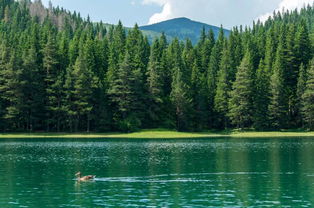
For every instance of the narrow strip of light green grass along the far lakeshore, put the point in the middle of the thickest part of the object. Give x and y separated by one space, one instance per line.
163 134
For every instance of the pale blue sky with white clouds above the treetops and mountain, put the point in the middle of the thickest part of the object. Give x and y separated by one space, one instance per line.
228 13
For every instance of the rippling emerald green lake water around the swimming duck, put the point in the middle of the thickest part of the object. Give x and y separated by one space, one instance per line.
39 173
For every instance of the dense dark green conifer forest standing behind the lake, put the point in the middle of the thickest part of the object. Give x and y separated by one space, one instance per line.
60 72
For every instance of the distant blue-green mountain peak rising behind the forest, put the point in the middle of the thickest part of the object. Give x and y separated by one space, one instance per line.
181 28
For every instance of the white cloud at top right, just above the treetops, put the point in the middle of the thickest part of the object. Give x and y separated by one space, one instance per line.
287 5
